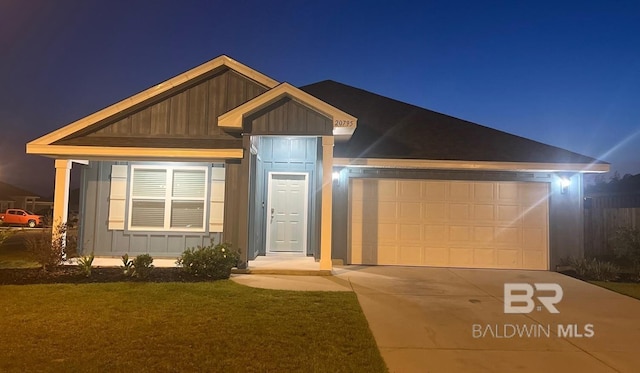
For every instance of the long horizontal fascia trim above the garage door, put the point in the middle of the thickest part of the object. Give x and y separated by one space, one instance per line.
471 165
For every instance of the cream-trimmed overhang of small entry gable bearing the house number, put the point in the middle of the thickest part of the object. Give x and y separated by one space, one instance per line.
344 124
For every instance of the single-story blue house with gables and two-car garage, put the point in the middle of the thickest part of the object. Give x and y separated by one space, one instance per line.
224 152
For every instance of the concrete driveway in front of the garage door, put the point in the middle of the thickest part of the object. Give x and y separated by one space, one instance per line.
423 321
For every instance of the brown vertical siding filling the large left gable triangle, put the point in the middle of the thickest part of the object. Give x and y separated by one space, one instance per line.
187 114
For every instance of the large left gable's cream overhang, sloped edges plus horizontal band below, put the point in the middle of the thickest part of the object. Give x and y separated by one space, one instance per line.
43 145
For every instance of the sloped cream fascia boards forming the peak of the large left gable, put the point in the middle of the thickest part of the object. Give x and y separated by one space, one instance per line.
153 92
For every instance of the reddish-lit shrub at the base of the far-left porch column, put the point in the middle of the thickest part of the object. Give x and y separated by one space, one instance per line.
47 252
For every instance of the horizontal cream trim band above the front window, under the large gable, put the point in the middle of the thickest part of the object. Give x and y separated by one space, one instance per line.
104 152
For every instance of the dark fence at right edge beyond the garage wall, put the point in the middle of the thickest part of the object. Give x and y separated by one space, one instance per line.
603 215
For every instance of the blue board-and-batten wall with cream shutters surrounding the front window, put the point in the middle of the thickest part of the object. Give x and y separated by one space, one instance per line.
103 229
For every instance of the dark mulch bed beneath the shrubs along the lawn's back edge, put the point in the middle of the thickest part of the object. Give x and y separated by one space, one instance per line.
71 274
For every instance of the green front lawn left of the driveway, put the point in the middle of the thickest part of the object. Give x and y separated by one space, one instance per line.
207 327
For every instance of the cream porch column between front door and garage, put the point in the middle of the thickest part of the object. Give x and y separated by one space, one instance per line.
327 198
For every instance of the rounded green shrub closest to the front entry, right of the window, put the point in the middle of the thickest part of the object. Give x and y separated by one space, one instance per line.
213 261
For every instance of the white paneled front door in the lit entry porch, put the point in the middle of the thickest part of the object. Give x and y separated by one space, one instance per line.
287 212
